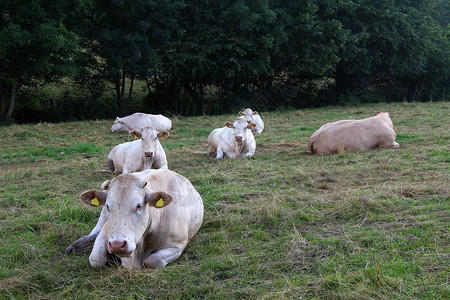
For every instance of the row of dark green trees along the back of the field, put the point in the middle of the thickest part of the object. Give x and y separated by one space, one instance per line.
66 59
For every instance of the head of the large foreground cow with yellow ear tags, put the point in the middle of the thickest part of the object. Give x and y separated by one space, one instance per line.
128 203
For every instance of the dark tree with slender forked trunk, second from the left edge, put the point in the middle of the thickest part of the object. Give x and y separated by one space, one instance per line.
126 39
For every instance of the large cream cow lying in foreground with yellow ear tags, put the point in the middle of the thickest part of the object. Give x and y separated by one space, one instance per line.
147 219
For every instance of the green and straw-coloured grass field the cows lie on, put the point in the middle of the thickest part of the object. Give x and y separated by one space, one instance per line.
282 224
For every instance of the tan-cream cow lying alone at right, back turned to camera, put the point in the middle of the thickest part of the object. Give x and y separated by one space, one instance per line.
356 135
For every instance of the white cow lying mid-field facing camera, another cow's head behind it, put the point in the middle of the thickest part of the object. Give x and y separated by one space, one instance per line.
233 141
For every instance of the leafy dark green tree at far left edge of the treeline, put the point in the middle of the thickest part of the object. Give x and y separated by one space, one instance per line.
34 44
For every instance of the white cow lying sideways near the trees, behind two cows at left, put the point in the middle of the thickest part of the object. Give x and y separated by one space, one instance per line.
137 121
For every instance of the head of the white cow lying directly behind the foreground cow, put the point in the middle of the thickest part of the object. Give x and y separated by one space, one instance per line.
149 140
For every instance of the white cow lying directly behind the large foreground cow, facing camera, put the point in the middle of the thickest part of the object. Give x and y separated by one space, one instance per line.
144 153
